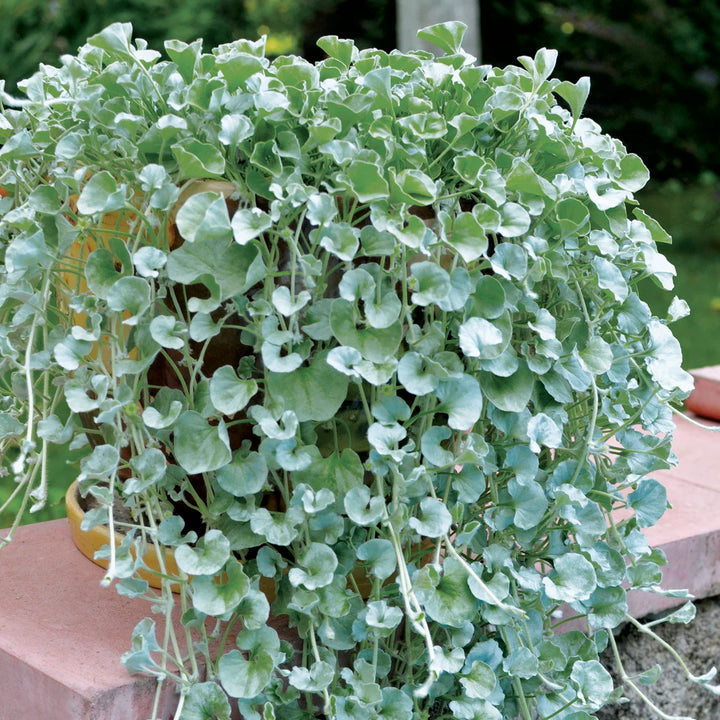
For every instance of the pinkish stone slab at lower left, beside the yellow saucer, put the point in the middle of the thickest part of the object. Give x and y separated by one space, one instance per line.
62 635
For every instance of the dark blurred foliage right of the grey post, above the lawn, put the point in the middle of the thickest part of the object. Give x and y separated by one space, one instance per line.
653 64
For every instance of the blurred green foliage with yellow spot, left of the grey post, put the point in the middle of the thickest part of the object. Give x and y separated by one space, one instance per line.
35 31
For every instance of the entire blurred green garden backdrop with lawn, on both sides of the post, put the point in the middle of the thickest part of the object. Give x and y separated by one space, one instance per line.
655 85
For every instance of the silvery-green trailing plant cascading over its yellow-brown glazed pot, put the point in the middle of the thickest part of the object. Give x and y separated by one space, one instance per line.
365 331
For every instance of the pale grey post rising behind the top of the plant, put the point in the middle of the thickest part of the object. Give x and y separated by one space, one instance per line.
415 14
